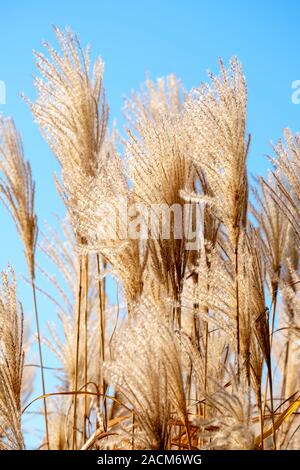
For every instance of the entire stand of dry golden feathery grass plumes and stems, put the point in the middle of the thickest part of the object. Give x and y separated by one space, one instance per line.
175 290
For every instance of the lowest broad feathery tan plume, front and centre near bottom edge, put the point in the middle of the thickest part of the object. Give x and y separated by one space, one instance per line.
146 369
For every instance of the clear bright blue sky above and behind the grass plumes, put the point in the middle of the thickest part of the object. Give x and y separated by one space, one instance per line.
138 36
